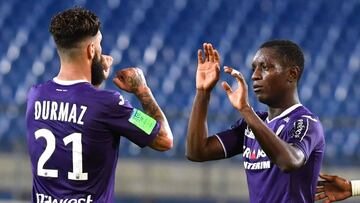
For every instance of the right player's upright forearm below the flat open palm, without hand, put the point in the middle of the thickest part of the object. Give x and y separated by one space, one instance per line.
197 128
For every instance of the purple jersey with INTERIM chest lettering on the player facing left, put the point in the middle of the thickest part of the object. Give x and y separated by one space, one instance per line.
266 182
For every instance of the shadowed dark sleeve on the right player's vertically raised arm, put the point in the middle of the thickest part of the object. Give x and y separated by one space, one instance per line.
233 138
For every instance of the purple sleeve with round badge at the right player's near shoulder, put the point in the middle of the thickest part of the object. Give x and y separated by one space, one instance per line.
307 134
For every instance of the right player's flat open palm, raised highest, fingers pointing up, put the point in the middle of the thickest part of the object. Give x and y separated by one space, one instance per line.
208 69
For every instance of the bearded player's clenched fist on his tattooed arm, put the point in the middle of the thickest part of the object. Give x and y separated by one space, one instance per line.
131 80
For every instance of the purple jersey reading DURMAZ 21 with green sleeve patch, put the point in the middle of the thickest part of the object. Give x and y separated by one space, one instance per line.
73 134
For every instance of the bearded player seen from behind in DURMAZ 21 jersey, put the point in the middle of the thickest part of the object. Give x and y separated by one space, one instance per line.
74 128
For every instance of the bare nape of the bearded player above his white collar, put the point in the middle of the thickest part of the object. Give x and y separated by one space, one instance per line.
74 71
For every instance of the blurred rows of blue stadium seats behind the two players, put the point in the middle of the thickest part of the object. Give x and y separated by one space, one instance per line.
162 37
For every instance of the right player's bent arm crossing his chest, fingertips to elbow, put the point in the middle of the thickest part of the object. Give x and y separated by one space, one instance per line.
284 155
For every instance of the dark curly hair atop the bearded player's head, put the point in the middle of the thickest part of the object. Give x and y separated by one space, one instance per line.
72 26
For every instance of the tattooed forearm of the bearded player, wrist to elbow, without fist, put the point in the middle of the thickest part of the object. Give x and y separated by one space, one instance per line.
151 107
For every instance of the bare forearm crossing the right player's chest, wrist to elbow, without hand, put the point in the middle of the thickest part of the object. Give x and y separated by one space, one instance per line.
281 153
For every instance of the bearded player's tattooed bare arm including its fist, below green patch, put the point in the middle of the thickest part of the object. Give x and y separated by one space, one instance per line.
132 80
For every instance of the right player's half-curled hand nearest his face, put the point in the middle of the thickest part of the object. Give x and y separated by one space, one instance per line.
239 97
